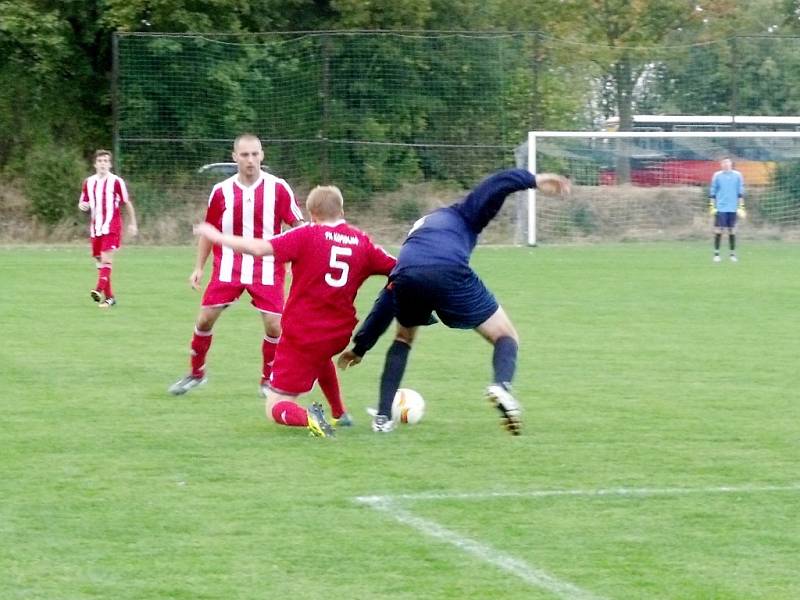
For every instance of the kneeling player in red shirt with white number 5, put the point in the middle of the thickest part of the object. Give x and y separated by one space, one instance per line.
330 260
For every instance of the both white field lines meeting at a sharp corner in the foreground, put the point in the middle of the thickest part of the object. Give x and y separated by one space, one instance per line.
390 504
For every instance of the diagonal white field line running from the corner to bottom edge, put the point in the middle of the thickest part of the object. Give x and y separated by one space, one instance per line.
505 562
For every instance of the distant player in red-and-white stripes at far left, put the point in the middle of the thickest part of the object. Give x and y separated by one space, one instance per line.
101 196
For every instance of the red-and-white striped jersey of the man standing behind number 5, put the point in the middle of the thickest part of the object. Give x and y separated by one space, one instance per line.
257 211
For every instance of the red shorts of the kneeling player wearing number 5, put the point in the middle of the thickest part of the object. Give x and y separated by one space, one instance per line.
298 365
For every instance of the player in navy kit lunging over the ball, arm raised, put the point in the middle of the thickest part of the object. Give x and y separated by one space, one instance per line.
433 274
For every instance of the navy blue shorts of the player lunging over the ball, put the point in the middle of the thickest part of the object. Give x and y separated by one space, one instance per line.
457 294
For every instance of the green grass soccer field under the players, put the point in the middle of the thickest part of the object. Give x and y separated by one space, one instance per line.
660 457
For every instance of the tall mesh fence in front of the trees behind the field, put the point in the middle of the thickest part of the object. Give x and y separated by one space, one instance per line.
411 119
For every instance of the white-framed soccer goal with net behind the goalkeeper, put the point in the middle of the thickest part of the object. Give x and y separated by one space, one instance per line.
654 185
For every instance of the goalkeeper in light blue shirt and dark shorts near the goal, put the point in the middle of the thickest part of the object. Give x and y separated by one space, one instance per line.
725 203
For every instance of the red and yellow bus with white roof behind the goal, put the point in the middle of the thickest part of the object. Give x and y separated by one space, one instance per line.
688 161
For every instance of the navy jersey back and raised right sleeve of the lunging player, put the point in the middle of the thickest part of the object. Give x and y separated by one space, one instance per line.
448 235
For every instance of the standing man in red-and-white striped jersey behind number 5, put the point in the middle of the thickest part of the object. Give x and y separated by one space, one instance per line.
256 205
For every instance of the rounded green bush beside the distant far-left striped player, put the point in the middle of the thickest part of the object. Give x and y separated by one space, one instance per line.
52 182
